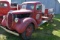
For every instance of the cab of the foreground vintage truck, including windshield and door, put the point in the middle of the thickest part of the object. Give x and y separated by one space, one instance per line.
36 9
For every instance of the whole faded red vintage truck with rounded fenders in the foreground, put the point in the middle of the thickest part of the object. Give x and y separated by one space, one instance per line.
24 21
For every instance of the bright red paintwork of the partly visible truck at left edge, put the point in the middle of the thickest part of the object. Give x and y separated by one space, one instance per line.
5 10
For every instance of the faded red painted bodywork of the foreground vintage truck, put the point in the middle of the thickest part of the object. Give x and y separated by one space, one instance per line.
21 25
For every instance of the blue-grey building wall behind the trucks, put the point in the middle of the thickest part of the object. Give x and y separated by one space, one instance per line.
48 3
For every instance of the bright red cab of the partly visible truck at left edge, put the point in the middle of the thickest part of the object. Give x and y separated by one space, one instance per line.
4 8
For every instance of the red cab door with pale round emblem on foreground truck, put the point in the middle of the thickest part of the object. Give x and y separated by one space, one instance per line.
38 13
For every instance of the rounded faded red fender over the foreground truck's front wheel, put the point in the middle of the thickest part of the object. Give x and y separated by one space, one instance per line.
20 28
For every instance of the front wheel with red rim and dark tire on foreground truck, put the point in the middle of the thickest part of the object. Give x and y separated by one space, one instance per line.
26 35
